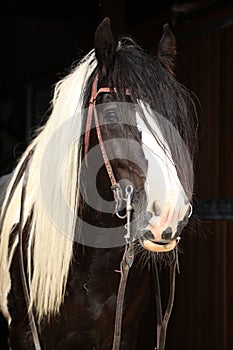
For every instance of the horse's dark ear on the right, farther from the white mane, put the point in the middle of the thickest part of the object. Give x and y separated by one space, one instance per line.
167 49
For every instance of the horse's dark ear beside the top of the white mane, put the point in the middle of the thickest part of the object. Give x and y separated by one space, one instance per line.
105 46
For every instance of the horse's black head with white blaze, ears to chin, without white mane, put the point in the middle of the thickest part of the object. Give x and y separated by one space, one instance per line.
139 164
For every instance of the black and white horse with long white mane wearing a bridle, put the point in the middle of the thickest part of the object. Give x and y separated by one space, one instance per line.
97 201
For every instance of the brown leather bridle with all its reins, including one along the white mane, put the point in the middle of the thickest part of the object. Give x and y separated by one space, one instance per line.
128 256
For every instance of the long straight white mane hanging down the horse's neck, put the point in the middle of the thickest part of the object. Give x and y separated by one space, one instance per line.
49 249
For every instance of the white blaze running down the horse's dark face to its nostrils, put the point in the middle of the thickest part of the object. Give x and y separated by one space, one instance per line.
163 186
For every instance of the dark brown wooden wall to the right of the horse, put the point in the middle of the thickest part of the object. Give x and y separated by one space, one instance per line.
203 313
